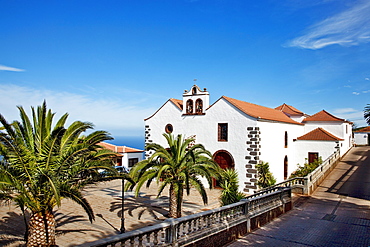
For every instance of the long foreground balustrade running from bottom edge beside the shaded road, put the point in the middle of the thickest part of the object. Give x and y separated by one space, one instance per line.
214 227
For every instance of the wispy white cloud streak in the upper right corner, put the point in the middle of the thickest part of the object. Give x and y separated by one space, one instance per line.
348 28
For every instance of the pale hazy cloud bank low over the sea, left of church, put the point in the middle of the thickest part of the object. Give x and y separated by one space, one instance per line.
116 116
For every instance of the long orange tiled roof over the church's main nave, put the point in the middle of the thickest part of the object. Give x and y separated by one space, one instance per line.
260 112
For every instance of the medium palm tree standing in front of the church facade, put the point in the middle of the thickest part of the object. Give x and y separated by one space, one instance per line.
180 167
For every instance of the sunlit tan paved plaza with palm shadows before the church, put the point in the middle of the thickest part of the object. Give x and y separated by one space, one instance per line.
74 228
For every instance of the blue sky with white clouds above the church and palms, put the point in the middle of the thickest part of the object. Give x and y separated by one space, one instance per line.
114 63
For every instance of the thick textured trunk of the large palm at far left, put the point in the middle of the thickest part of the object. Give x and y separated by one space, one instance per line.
41 229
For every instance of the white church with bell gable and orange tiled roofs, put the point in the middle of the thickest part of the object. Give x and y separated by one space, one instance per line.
241 134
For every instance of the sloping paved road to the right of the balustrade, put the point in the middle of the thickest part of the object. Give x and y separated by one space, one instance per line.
337 214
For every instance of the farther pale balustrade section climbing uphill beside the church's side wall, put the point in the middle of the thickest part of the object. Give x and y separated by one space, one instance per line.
307 185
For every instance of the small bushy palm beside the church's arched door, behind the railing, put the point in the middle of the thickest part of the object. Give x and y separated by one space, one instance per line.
229 184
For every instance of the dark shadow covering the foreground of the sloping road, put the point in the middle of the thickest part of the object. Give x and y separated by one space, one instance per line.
313 224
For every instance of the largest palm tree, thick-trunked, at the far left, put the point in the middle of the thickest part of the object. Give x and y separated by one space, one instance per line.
43 164
